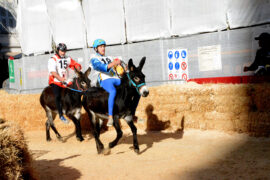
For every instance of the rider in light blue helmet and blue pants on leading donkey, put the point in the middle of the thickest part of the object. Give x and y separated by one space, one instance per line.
107 77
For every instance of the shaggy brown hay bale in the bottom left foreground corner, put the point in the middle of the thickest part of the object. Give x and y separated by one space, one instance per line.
15 160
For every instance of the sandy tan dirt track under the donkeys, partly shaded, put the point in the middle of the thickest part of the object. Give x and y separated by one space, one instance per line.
191 154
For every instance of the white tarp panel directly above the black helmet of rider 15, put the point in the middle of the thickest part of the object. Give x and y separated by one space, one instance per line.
67 22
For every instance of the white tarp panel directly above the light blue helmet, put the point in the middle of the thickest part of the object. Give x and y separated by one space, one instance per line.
105 20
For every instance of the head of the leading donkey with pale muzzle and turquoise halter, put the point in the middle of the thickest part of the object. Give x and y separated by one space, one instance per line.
137 78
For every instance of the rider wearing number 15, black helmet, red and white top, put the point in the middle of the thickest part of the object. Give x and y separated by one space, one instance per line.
59 76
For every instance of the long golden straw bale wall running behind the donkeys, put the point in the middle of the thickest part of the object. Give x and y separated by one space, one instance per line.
228 107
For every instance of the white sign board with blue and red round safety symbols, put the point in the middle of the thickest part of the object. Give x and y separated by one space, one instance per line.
177 64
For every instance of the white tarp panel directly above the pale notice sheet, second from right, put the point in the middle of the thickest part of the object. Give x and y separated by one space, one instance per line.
195 16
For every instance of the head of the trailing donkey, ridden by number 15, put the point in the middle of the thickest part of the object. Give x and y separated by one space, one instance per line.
82 81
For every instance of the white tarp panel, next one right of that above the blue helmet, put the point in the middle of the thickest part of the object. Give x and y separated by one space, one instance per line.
147 19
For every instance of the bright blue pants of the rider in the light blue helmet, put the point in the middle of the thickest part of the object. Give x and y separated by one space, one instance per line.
109 86
